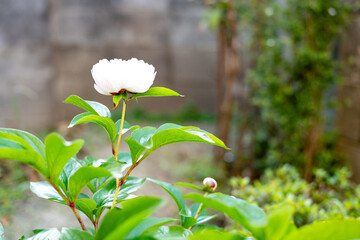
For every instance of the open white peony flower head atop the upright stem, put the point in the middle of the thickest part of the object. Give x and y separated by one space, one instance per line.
115 76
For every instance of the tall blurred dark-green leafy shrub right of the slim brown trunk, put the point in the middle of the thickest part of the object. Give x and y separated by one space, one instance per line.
294 70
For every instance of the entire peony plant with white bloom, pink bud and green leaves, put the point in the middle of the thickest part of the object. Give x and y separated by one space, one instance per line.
110 203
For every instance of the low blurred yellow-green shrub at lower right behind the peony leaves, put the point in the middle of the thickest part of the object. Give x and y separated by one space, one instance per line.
327 197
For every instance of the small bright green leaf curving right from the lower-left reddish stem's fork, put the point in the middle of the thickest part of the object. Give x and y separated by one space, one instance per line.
82 177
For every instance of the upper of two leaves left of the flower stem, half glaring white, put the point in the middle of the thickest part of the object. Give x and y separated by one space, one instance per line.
90 106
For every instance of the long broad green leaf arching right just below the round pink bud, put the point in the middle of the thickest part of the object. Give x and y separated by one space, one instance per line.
248 215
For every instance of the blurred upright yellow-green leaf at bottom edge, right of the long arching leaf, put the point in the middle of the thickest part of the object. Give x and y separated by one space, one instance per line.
280 222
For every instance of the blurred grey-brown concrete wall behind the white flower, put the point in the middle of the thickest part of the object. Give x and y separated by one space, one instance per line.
47 48
